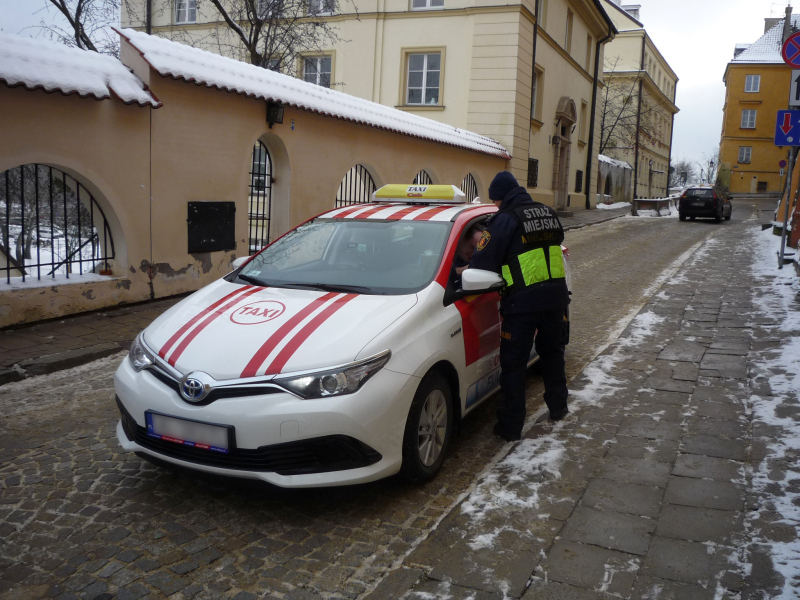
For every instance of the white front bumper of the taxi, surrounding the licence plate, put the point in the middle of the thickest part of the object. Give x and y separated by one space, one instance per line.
279 438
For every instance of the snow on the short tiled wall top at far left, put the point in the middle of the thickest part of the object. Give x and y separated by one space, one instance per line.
42 64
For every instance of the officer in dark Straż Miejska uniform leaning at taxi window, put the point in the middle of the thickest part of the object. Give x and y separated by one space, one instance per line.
522 242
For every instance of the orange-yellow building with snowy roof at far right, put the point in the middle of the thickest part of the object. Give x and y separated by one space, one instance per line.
757 86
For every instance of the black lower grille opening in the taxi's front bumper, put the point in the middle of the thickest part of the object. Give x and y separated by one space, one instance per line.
317 455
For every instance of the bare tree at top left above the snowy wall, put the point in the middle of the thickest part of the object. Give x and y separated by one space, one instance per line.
88 25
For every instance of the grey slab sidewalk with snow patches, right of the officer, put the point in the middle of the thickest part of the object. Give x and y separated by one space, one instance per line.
647 490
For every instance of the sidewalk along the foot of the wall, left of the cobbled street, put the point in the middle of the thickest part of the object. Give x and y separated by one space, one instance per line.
62 343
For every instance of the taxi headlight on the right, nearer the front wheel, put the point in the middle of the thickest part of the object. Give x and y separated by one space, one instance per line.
335 382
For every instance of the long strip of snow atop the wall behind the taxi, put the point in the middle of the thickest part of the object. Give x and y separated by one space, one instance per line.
179 61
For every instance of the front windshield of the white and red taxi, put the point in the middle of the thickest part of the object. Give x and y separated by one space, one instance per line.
352 255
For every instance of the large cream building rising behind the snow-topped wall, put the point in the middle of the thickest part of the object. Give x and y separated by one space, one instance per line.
470 66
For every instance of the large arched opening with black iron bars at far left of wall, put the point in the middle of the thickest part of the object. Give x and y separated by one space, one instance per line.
50 224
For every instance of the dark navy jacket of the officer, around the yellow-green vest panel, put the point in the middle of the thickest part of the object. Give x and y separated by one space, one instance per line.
503 241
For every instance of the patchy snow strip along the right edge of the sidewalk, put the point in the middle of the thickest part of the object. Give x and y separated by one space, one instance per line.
779 296
